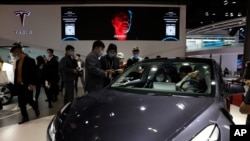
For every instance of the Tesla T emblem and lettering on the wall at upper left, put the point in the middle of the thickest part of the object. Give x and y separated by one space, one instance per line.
22 15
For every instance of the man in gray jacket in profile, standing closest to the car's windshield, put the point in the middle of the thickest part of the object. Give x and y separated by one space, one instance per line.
94 77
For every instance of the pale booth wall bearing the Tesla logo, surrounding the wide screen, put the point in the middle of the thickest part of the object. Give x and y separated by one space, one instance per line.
40 27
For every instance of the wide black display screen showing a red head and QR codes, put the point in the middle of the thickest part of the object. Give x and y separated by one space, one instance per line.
120 23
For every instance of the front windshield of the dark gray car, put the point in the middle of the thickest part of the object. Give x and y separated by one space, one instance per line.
168 77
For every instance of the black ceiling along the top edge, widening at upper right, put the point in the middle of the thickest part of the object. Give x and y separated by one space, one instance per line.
199 12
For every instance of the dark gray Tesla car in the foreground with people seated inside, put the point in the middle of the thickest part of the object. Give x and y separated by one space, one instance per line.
137 107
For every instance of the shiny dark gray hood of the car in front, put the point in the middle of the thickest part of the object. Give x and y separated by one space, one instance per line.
110 115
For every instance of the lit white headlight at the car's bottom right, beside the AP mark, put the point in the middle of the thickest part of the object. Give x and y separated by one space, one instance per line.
210 133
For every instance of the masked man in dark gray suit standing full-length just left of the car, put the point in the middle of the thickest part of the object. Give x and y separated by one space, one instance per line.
67 68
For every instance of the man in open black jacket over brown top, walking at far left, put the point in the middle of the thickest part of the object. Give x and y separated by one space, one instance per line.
24 81
